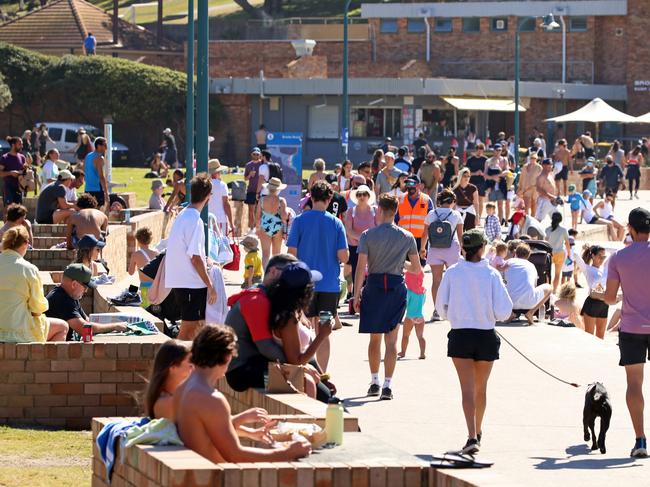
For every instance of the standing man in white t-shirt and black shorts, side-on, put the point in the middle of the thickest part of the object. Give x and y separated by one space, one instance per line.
185 262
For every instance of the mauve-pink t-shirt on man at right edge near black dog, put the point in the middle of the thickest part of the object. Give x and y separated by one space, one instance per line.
630 267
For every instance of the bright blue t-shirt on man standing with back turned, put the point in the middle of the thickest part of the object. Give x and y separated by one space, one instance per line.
318 236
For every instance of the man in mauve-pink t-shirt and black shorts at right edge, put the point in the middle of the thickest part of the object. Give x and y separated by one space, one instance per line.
628 270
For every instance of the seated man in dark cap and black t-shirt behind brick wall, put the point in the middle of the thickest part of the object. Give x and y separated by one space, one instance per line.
64 302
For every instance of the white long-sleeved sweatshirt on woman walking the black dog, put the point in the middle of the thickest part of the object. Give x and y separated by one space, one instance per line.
472 295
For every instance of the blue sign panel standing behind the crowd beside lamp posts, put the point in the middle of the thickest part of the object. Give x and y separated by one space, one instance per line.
286 149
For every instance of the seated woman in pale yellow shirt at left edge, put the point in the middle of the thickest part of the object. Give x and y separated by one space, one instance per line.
22 302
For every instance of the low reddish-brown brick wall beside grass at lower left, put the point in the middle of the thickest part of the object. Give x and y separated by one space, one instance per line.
65 384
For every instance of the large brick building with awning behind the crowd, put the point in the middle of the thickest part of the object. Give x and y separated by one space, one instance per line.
441 68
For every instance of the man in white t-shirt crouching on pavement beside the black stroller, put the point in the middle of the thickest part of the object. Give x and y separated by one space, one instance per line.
521 283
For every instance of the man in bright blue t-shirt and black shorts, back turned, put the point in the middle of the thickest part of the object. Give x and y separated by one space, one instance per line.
318 239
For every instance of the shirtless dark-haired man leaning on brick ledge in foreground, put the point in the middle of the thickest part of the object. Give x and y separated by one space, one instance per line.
202 413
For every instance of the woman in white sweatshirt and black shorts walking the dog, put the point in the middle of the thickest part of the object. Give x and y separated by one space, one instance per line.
473 298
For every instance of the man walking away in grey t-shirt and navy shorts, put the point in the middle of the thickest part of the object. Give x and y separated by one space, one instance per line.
382 303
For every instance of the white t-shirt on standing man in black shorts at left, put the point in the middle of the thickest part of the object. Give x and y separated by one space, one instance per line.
186 239
